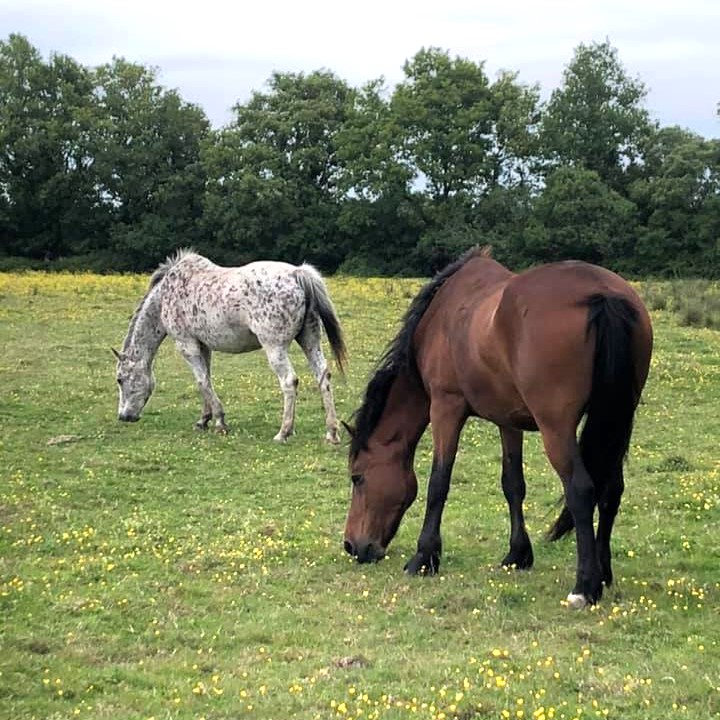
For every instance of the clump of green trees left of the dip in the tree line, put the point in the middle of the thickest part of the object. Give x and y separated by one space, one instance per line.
94 160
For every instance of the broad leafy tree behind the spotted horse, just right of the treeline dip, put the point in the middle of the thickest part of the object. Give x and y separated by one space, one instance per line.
278 165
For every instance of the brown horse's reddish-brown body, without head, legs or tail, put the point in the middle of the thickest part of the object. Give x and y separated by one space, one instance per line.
518 347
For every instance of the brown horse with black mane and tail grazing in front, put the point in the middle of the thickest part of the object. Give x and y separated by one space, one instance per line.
532 351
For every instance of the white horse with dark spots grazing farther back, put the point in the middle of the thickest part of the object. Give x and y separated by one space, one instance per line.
205 307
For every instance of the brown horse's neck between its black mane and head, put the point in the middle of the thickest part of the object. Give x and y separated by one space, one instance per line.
404 419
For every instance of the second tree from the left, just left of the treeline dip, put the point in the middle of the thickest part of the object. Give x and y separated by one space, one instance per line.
147 150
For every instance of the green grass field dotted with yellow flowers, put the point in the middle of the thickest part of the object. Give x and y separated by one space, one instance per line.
149 571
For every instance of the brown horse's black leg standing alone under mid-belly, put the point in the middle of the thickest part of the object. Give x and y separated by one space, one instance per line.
513 484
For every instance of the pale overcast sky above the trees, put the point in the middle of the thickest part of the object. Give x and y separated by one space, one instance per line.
216 52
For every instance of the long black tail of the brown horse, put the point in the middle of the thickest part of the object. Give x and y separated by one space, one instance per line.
605 437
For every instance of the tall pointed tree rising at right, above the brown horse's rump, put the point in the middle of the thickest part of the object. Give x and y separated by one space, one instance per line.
596 119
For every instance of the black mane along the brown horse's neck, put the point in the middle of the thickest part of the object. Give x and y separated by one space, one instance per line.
398 356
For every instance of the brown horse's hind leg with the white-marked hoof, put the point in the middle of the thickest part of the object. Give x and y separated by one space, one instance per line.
564 455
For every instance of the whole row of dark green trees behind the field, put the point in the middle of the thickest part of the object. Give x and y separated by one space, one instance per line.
105 169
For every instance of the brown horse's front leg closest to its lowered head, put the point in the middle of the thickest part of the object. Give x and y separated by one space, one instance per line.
447 418
